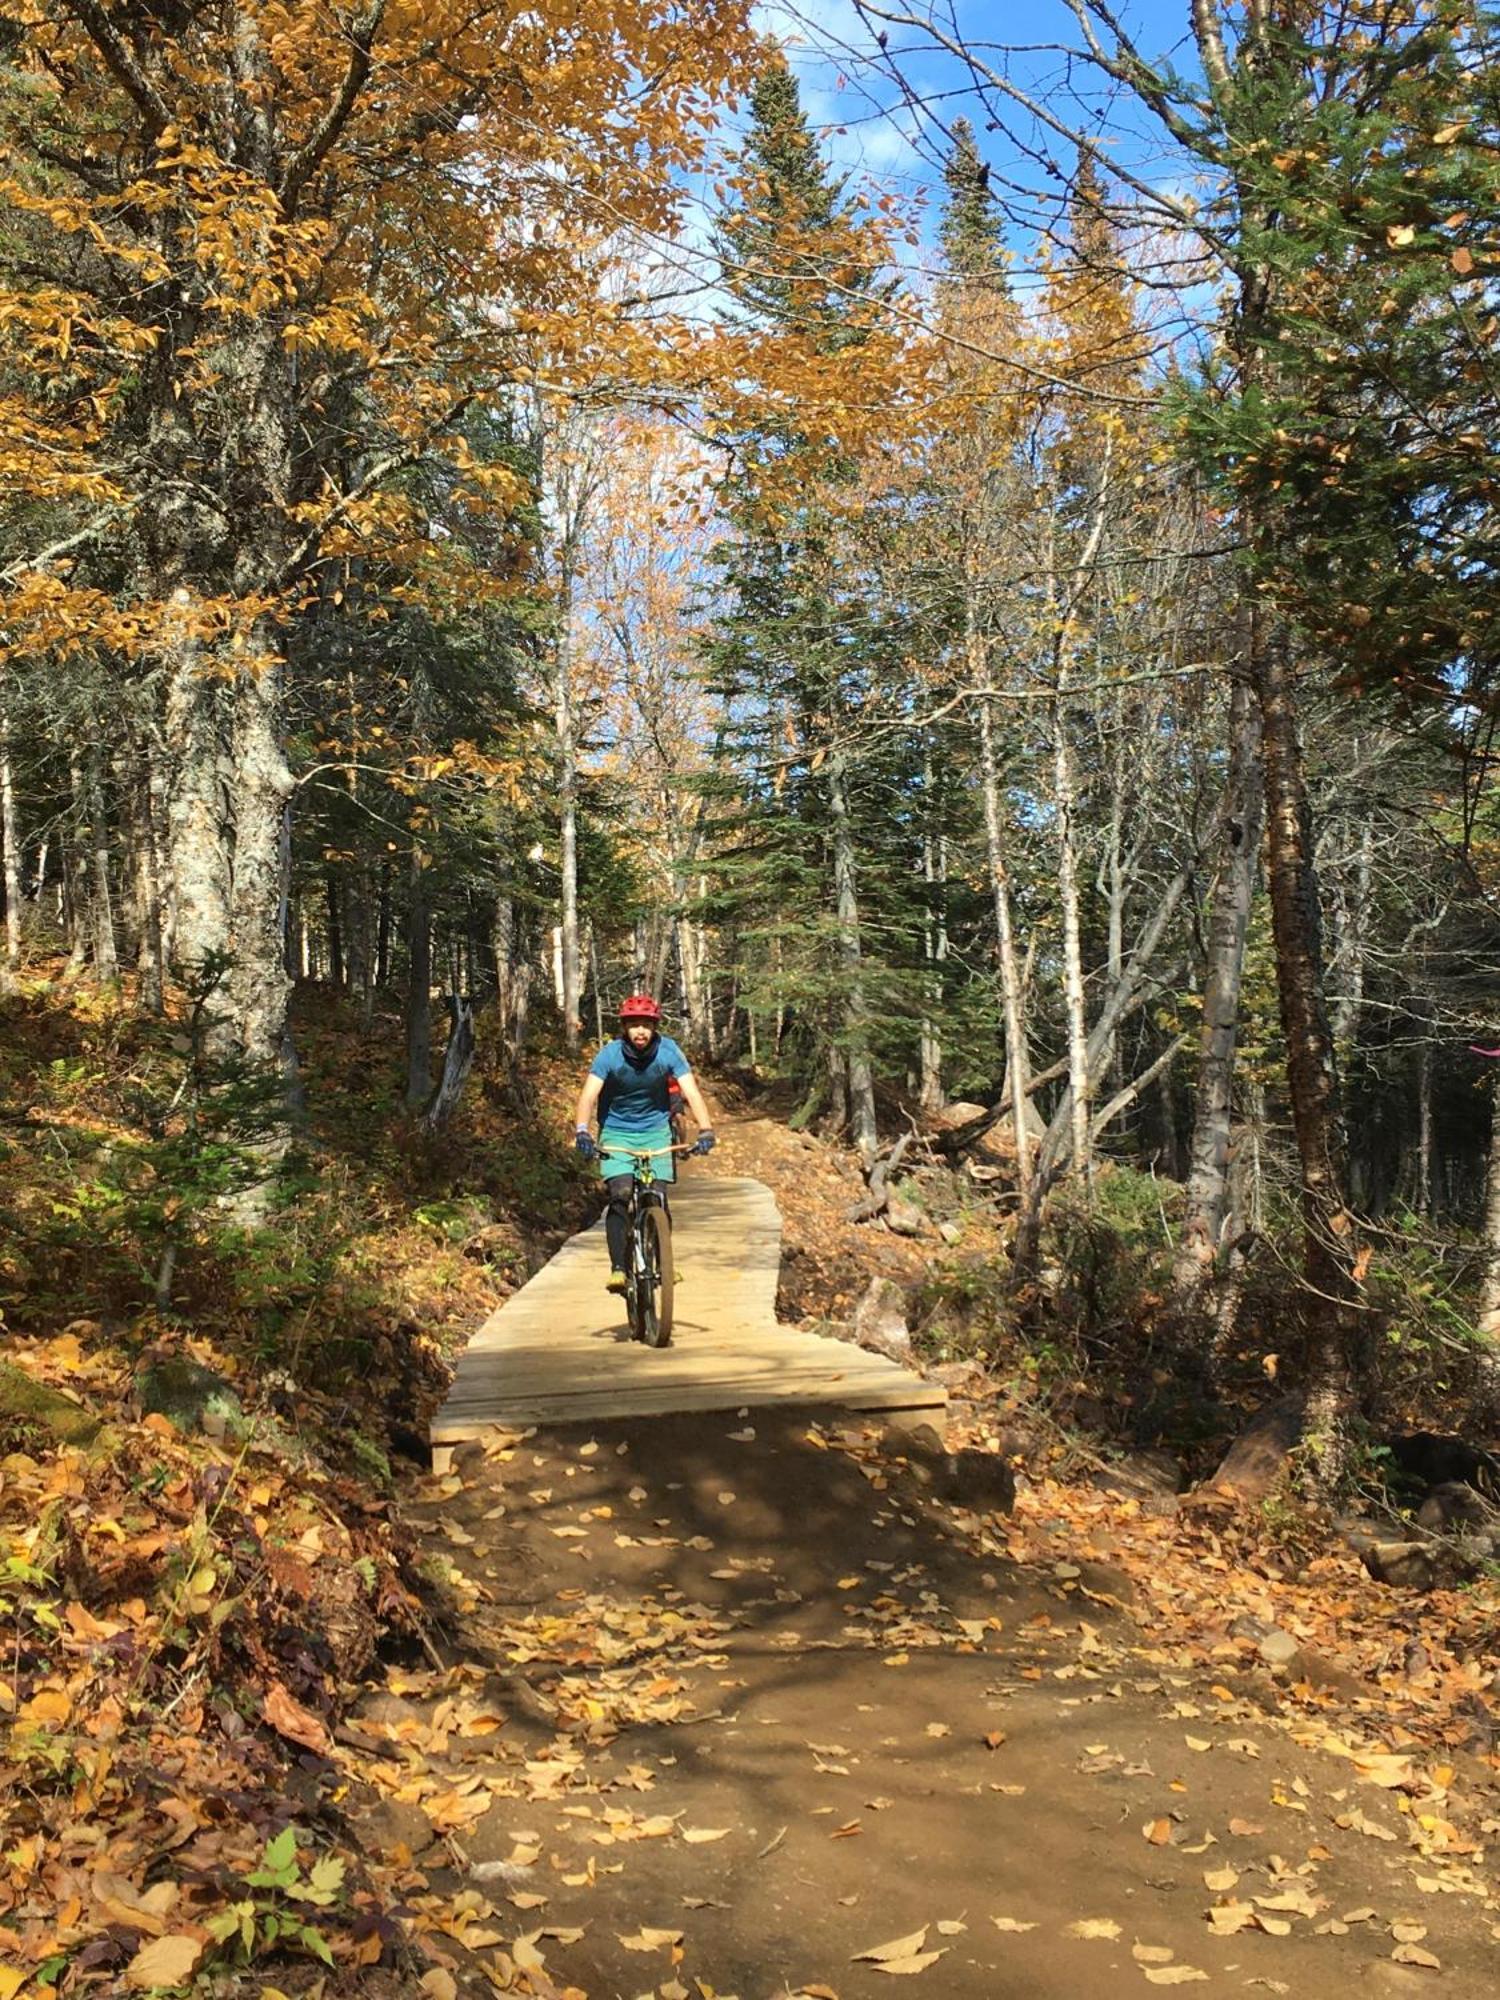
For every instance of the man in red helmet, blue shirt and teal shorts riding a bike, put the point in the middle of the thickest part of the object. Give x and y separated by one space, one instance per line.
629 1085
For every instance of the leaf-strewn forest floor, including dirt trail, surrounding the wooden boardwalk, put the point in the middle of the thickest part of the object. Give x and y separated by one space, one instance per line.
701 1707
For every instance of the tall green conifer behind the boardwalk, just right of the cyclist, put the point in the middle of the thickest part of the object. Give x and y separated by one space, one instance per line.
793 653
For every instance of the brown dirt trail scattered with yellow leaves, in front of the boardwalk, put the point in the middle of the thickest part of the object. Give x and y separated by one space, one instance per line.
761 1691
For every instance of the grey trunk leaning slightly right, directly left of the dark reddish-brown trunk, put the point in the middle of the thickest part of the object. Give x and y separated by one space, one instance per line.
1207 1191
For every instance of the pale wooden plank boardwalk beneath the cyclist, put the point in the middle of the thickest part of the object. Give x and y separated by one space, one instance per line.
561 1351
